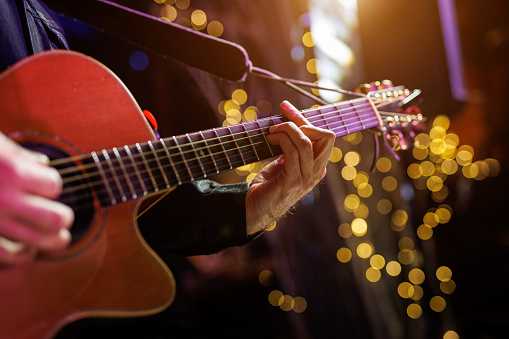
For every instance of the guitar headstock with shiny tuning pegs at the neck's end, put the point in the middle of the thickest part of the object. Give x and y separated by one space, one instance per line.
397 106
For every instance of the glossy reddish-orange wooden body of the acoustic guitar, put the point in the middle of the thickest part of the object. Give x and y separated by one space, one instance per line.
69 102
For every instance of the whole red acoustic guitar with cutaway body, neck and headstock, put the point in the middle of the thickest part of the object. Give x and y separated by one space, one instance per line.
79 113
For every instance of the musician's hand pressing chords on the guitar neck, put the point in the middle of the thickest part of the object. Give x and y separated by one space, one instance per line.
282 183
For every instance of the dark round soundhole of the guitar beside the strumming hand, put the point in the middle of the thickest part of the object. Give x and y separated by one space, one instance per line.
76 193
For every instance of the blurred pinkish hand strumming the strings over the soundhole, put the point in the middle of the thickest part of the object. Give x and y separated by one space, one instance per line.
29 219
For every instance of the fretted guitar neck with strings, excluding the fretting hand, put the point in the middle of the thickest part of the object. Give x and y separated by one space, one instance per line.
134 171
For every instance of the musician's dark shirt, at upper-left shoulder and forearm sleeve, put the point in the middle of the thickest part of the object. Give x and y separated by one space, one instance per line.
198 218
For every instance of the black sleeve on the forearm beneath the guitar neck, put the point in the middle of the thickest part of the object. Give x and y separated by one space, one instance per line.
201 217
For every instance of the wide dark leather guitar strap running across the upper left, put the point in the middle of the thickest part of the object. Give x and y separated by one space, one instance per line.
190 47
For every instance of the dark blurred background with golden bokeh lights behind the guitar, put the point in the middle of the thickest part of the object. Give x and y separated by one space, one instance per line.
416 248
